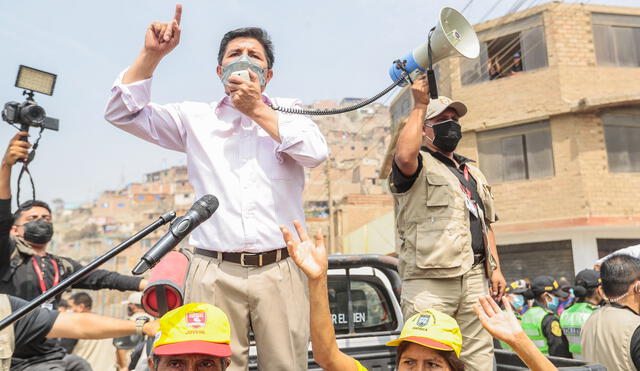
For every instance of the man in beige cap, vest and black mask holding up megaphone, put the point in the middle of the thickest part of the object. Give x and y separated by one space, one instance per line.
448 254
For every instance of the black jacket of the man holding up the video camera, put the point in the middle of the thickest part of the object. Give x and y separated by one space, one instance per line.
18 276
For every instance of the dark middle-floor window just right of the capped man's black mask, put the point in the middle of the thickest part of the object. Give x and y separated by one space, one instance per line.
517 152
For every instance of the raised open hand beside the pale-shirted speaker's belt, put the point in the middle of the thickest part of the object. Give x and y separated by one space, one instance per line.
311 259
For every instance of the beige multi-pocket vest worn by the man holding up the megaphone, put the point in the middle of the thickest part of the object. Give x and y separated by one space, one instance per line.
434 236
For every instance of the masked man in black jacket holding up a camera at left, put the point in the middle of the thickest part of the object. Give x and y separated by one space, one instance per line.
26 268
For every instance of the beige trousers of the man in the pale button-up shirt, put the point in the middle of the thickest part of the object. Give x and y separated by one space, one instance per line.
273 300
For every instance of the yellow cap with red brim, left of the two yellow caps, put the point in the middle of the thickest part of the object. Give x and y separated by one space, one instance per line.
194 328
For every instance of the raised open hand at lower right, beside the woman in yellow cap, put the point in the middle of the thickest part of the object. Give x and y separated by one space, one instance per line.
502 325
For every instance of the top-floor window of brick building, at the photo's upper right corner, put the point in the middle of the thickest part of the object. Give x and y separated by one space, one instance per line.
617 39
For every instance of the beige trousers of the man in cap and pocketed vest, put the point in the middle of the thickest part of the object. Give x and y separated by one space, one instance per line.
455 296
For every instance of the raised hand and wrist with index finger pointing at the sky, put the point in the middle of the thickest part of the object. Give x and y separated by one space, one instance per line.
160 39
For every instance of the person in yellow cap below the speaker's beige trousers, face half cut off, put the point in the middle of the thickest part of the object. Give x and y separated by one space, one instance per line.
192 337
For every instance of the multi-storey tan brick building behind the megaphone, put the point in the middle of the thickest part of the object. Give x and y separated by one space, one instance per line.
559 141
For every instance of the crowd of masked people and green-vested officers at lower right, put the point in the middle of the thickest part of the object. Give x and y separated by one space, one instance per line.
558 316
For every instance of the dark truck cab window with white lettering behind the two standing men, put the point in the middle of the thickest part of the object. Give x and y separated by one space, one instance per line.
371 305
